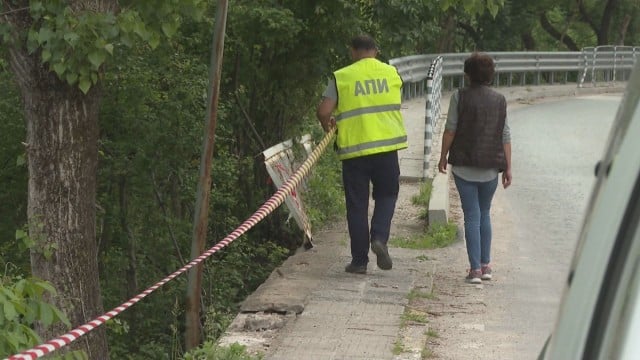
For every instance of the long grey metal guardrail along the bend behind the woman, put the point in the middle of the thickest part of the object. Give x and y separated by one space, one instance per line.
596 64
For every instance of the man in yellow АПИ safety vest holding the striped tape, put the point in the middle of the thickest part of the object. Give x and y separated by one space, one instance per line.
363 101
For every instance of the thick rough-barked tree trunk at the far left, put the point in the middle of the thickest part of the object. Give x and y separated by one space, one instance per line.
62 135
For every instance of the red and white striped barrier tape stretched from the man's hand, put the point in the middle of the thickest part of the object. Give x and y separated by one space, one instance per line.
269 206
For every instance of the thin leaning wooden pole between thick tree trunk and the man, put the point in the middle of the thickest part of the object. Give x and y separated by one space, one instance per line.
200 222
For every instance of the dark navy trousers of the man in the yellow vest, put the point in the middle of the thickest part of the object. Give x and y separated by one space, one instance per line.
383 172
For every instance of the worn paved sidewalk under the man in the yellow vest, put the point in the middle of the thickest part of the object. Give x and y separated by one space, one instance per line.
309 308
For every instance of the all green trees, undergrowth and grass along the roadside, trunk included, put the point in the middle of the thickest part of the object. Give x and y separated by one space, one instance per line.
143 70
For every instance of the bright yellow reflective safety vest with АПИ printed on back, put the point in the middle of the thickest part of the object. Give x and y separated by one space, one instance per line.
368 114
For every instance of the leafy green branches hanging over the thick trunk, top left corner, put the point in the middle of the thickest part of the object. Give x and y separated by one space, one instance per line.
76 42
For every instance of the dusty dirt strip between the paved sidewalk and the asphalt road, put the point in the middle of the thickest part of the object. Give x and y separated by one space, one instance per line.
456 311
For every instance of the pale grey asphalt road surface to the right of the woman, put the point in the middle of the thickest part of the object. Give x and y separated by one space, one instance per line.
556 145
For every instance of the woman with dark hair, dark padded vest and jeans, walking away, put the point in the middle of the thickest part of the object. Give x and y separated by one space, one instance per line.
477 143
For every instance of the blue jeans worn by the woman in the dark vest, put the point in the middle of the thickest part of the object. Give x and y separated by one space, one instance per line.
476 205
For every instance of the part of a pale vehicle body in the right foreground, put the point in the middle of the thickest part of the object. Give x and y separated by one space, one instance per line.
599 316
